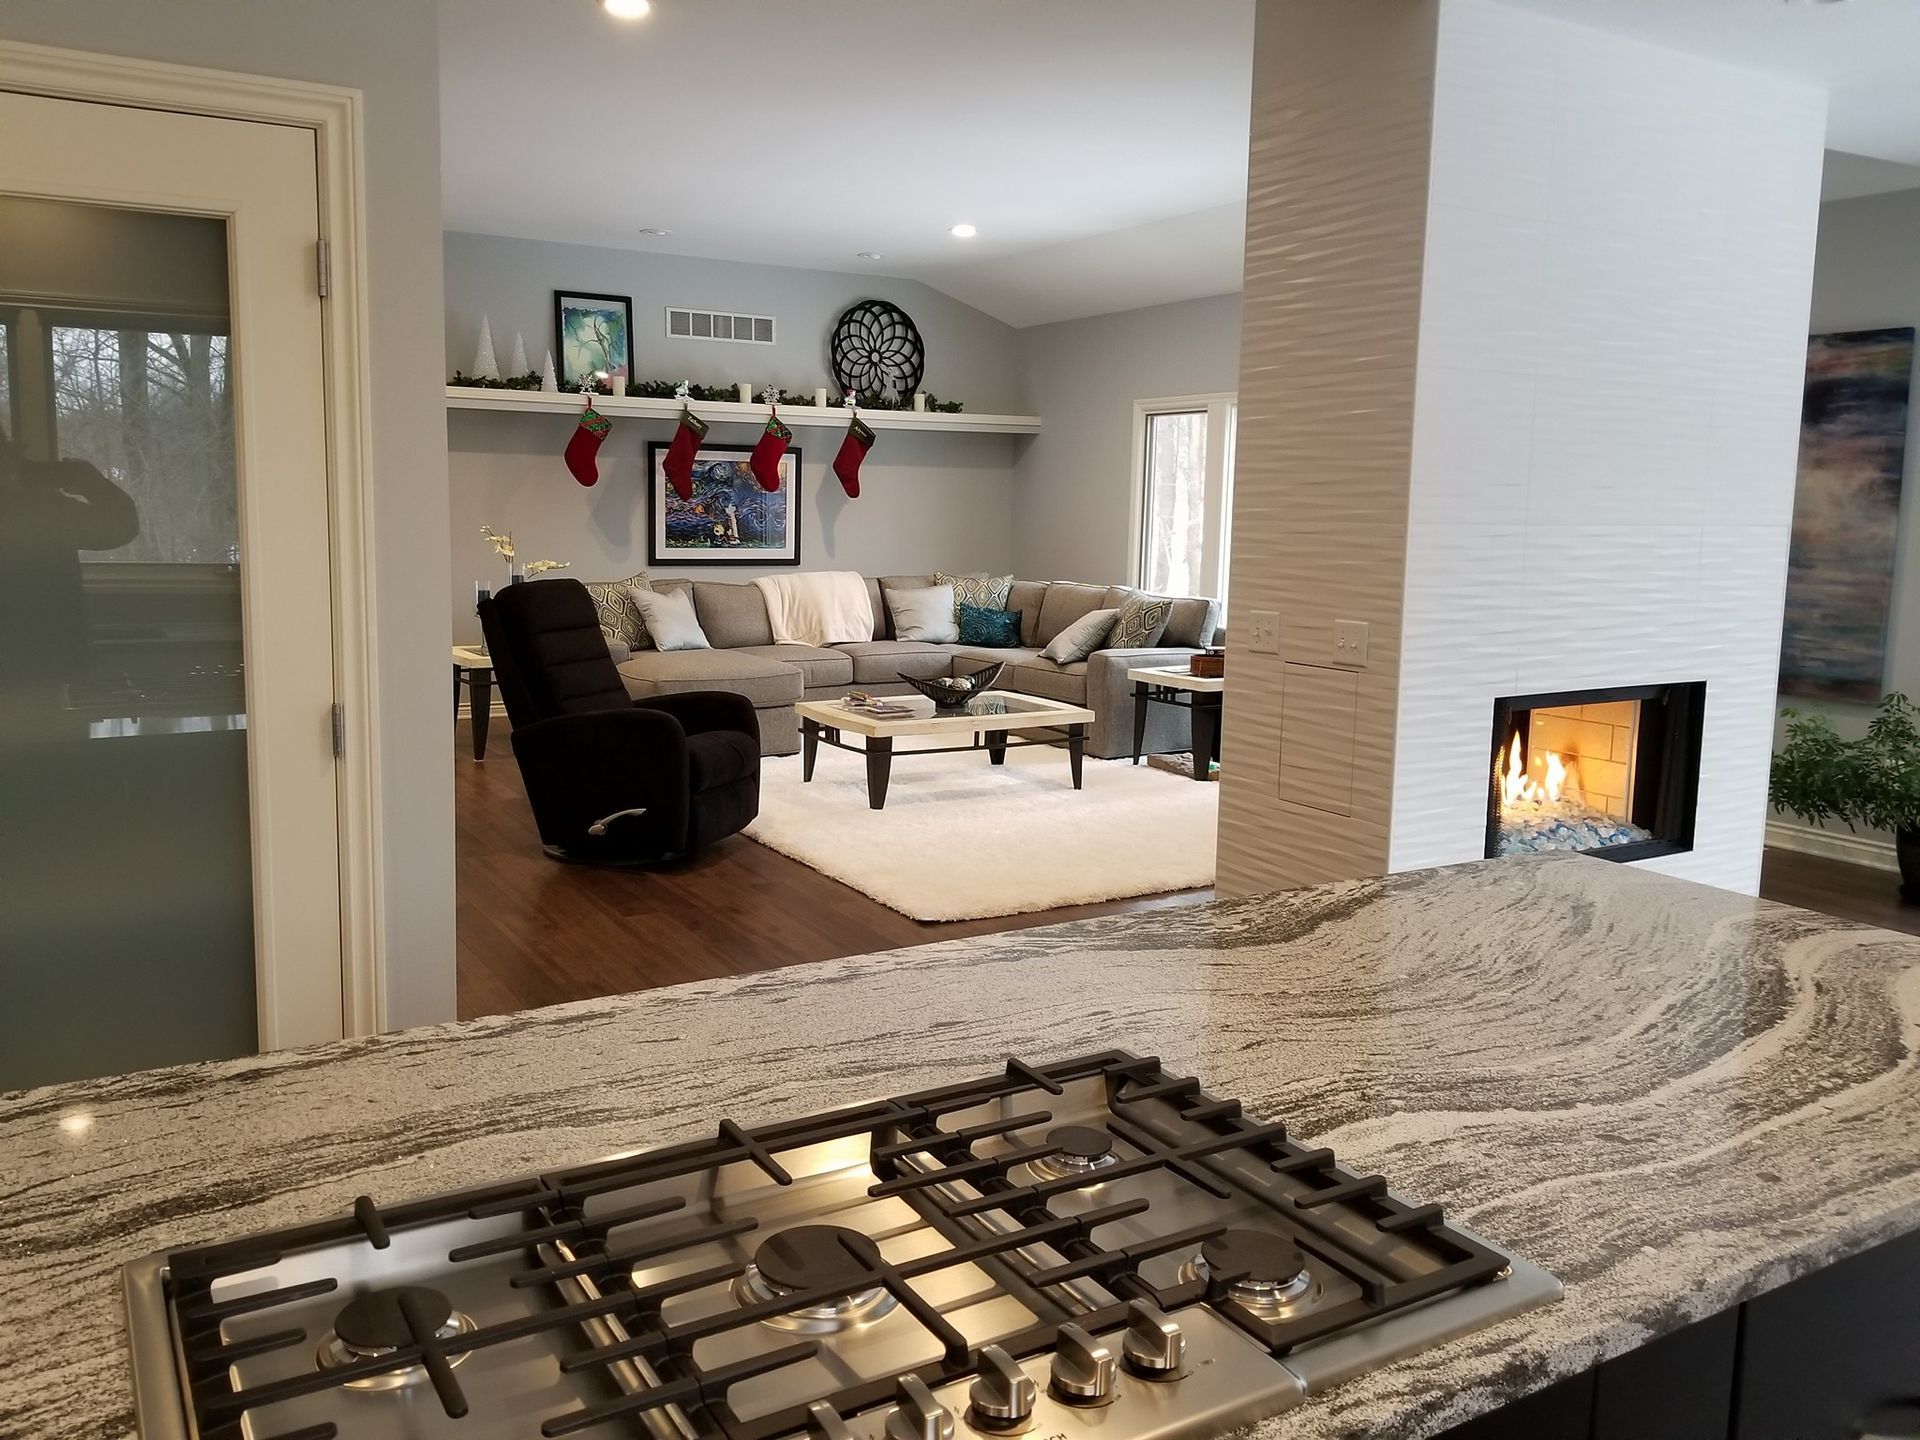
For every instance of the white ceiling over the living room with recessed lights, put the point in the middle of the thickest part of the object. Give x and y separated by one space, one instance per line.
1099 145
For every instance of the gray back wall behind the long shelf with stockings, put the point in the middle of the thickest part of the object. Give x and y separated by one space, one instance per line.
926 500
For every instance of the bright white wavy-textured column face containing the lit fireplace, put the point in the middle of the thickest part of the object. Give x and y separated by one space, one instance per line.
1668 270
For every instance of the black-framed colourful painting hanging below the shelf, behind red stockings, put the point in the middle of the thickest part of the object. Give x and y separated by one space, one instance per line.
731 519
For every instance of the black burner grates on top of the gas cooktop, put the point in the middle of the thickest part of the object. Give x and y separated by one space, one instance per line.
961 1182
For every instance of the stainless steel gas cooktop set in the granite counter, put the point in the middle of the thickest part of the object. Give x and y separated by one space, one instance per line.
1057 1249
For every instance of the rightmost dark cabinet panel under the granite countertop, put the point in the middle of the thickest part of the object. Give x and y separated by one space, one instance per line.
1836 1355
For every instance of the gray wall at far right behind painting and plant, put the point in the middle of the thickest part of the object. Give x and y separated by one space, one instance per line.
1867 276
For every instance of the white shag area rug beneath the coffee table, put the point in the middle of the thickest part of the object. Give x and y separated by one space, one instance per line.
963 838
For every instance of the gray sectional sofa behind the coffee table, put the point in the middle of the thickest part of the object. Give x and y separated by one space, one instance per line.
744 660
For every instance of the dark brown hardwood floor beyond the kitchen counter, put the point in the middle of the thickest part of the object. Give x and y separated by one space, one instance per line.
535 932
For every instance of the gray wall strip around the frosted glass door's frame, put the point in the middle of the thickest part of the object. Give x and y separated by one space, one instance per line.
391 53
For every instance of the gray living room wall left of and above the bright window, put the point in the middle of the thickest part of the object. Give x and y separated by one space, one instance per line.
1074 481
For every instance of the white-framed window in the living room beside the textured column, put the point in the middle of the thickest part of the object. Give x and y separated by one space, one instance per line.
1184 494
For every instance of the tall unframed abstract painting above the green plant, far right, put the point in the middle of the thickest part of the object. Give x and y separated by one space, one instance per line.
1846 514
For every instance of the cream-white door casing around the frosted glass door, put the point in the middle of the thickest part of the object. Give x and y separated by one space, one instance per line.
339 135
